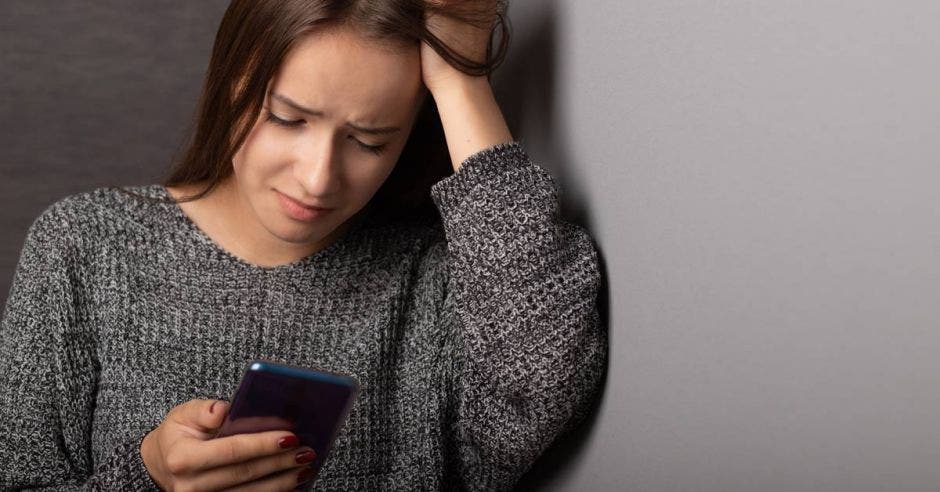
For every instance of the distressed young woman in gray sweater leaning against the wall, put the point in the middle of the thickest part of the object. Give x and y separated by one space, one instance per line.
281 236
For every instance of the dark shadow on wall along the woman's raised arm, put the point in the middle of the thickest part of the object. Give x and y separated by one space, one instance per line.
526 88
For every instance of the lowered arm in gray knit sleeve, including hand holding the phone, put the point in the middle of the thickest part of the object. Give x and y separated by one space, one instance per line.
48 378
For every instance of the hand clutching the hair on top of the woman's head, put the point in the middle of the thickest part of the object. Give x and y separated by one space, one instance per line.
466 39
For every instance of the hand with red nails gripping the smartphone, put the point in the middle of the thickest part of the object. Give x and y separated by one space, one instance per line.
181 454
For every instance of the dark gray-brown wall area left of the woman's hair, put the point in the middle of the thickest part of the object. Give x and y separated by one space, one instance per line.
94 93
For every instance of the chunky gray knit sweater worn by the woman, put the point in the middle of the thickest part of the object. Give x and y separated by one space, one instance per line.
475 339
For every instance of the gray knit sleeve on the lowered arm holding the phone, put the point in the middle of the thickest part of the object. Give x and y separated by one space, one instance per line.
48 377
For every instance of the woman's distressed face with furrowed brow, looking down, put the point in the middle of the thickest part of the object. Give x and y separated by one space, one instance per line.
334 122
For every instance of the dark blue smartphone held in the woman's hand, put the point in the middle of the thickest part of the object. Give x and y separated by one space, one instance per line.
310 403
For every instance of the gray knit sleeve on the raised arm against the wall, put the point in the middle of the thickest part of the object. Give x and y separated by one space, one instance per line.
521 293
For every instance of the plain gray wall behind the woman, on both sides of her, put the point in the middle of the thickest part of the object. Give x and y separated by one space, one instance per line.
757 175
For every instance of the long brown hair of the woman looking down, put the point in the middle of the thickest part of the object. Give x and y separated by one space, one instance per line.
255 36
